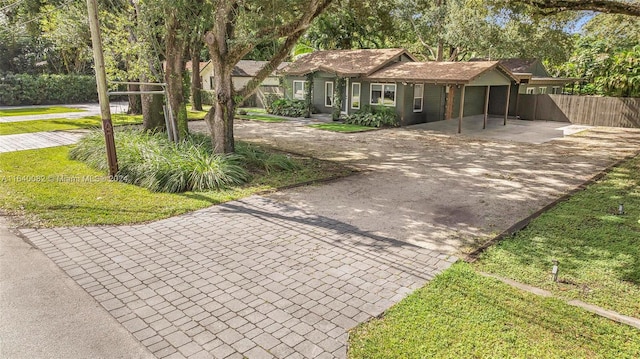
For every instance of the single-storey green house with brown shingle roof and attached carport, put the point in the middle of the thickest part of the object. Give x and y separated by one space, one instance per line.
419 91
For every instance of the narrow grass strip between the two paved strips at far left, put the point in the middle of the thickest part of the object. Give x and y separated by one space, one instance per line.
63 124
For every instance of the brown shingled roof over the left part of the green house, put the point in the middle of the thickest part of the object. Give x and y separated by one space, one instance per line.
345 62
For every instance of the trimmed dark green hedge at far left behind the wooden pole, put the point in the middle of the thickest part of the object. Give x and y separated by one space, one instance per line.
24 89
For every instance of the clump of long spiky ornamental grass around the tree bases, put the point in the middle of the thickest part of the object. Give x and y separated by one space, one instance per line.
153 162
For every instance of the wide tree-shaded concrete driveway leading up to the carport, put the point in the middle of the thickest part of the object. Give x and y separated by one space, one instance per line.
431 187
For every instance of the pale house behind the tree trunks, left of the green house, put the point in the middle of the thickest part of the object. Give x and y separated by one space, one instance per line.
242 73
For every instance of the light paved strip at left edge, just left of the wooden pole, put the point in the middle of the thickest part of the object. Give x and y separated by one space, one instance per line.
35 140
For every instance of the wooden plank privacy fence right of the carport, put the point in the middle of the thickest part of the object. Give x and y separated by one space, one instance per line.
584 110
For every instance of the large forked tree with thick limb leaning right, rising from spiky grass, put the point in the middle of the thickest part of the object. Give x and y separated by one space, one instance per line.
240 26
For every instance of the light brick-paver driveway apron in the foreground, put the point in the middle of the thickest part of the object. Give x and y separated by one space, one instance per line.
253 278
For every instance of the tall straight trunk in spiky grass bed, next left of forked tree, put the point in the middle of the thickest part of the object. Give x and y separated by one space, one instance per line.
173 75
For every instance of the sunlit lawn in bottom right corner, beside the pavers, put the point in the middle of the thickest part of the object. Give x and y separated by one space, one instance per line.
461 314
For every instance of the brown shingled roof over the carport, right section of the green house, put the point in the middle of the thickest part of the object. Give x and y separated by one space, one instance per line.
438 72
